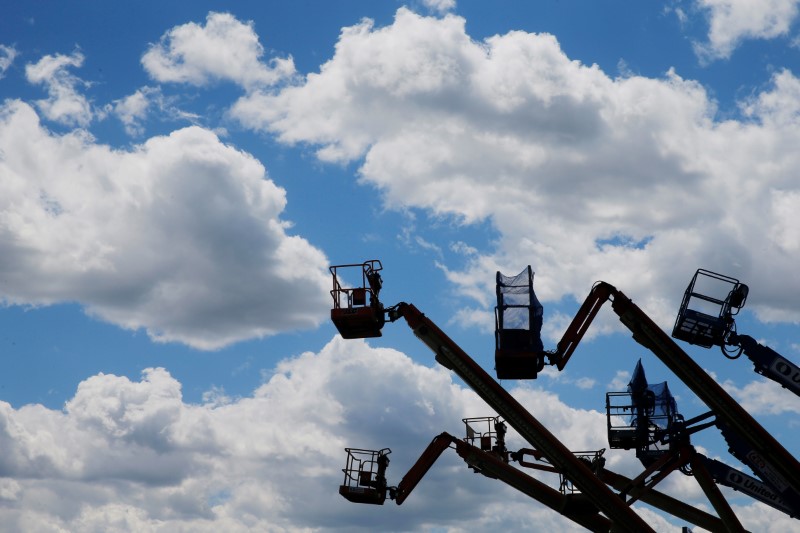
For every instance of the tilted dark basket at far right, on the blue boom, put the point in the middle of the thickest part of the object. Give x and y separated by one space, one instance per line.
709 304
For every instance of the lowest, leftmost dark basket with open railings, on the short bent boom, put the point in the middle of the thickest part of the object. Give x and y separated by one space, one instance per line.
365 476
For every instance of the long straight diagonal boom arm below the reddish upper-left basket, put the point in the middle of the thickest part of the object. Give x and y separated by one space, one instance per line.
451 356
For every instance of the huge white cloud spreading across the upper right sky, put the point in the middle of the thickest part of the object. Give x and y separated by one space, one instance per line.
631 180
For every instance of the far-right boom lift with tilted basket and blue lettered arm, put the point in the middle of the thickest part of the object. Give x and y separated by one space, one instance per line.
706 318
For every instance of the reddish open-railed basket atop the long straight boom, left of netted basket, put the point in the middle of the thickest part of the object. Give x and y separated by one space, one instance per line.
357 313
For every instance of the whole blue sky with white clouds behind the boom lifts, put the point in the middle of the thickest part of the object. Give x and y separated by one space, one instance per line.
175 179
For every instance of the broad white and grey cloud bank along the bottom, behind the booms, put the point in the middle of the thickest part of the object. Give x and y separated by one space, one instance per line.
133 456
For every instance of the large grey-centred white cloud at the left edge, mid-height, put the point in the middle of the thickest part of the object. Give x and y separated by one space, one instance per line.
181 235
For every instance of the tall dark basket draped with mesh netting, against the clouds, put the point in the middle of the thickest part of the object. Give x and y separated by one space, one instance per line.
519 353
